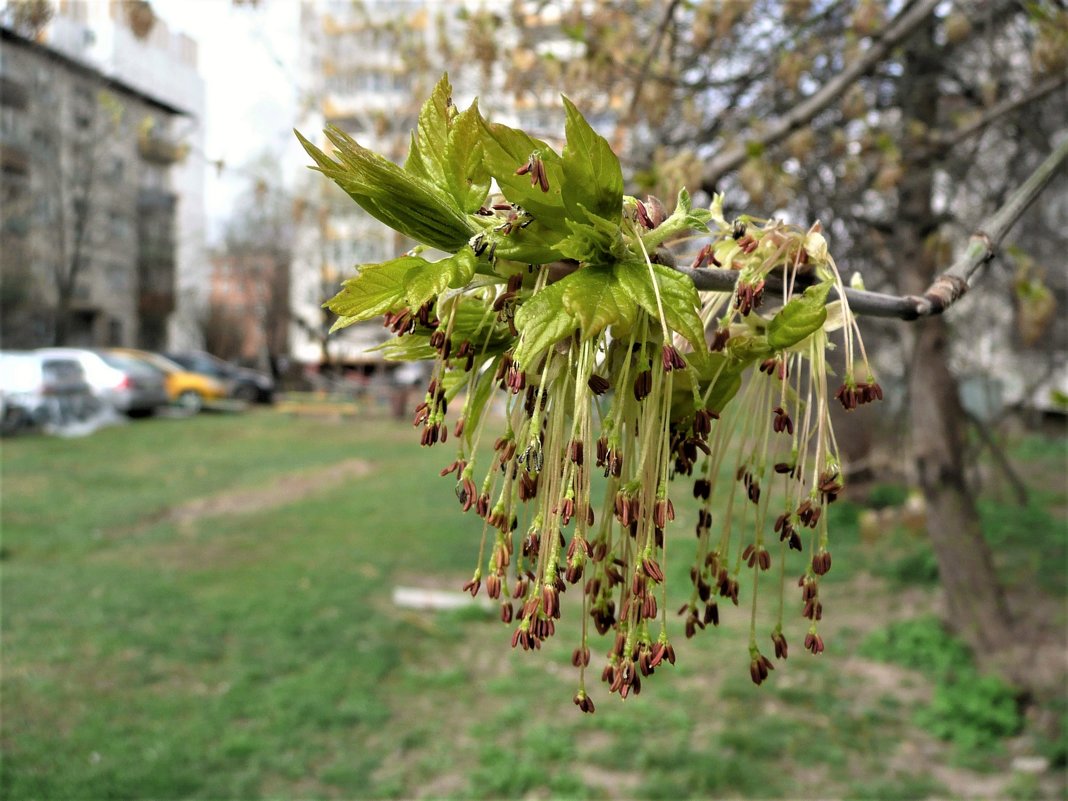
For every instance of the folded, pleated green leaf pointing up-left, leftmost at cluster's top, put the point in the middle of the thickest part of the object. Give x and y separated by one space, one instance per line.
405 202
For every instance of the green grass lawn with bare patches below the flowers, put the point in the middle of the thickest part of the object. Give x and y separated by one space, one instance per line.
202 609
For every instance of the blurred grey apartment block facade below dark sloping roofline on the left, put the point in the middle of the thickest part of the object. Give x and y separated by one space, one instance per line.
89 207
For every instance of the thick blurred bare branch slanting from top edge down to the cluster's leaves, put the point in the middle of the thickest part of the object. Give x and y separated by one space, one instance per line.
899 32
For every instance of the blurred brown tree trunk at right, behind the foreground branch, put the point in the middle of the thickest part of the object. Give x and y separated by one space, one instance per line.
976 601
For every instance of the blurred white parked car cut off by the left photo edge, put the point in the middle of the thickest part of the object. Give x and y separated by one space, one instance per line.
38 391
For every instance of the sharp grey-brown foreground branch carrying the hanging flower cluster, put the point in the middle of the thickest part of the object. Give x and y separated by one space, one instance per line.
952 285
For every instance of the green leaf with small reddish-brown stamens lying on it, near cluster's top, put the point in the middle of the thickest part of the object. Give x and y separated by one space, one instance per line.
506 151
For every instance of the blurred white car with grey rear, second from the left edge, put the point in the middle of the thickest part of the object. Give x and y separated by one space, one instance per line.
127 385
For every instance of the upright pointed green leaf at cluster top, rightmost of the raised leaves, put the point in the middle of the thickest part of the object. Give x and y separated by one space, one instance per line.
592 174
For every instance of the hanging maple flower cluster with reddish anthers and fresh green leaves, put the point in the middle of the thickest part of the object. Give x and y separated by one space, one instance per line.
614 376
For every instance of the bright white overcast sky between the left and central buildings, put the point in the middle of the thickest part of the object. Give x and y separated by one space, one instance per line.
248 58
